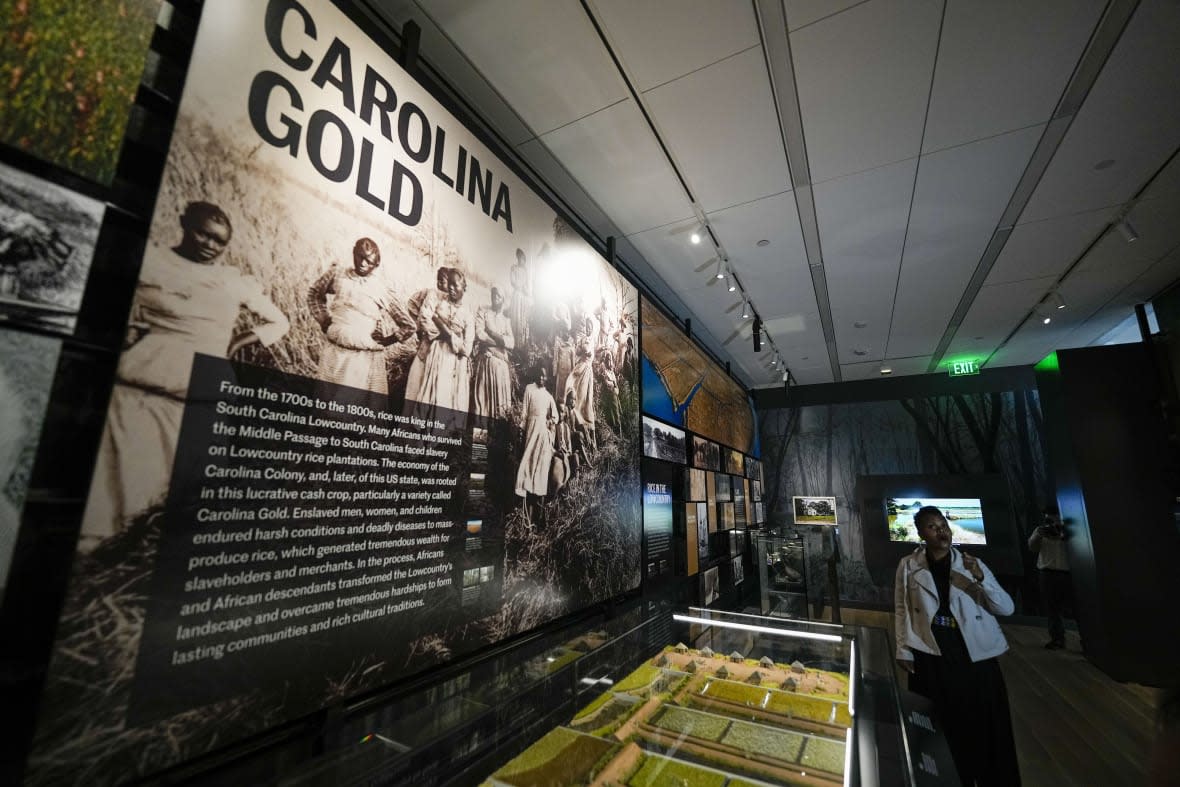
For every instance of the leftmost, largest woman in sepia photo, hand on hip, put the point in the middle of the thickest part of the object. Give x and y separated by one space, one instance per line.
187 303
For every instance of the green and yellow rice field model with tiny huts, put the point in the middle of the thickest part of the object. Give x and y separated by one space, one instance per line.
698 718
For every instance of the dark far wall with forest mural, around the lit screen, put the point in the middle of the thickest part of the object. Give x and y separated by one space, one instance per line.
966 437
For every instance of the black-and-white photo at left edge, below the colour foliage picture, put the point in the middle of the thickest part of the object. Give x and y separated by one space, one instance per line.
48 238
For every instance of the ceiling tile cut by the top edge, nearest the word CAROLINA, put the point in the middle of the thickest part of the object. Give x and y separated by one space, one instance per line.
545 58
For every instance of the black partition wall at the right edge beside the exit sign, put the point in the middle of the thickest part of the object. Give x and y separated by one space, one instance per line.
1117 477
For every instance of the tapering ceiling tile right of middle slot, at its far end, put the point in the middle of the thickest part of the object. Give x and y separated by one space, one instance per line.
862 225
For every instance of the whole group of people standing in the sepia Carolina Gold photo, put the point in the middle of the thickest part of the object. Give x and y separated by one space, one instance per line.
555 369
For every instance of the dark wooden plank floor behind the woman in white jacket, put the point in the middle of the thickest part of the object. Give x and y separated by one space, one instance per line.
1074 726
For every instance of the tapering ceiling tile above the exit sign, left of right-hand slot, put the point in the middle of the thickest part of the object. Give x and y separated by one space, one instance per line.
961 195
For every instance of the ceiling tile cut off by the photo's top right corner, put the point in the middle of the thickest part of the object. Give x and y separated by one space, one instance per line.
1131 117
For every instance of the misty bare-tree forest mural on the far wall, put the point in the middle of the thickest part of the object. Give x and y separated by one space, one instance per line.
822 450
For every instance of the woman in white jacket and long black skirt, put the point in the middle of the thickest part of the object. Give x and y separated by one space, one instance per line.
948 639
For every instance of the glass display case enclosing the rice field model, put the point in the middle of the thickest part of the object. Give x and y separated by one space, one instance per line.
657 697
